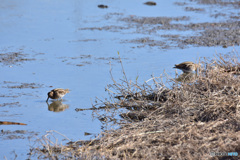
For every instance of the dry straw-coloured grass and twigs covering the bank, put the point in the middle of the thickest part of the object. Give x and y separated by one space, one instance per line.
191 118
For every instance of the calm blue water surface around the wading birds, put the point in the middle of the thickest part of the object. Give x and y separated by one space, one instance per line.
69 44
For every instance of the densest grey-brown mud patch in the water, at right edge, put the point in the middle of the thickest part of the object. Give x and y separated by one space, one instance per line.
215 34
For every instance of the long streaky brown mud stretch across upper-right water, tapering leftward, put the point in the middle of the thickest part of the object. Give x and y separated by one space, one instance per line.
223 34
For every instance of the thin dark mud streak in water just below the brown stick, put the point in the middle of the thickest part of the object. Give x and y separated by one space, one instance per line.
17 134
